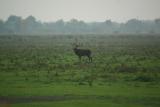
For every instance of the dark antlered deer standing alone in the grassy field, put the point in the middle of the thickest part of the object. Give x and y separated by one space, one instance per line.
82 52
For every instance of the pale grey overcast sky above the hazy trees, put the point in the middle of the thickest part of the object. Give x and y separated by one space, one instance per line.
87 10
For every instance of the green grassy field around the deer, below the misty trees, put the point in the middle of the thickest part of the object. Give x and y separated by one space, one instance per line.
44 71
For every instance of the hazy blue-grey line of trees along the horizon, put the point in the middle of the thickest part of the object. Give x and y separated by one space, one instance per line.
30 25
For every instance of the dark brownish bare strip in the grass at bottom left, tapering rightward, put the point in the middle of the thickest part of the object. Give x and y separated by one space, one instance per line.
28 99
